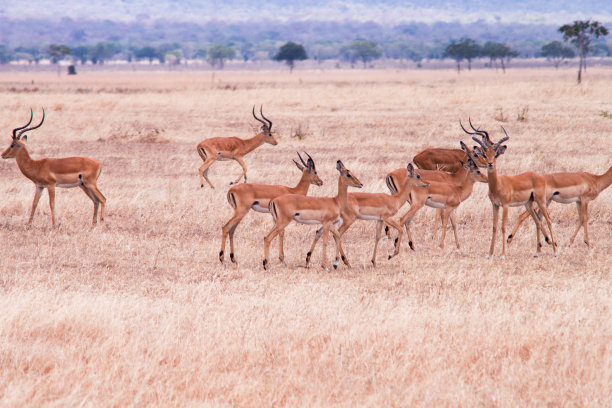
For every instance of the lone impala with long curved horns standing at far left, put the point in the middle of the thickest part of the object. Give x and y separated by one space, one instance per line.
49 173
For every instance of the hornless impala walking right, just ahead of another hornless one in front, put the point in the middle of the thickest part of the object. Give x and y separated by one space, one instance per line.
379 207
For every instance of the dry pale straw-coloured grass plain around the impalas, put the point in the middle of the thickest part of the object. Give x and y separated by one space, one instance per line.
139 310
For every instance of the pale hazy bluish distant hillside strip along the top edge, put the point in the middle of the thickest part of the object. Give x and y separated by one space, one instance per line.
390 11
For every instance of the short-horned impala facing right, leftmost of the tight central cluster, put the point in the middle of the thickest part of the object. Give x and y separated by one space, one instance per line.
245 196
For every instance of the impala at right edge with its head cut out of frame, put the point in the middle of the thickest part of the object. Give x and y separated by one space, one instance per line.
565 188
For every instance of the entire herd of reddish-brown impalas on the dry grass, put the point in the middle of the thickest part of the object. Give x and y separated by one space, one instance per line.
443 180
